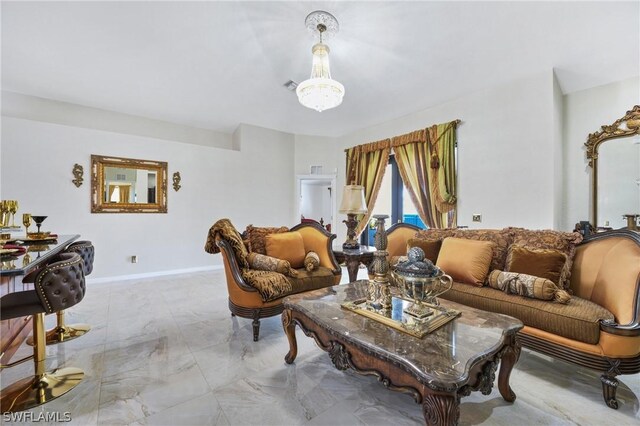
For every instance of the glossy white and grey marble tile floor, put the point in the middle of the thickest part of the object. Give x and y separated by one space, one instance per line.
165 351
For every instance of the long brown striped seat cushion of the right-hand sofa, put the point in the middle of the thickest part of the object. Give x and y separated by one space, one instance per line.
577 320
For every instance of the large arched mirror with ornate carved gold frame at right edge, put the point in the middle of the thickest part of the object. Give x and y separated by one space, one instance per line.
614 156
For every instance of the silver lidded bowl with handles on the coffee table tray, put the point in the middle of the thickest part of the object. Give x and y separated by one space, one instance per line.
419 279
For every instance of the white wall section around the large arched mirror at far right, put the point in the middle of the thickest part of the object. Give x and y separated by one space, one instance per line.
584 112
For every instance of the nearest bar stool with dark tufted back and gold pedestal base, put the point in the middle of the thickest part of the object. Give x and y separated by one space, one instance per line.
58 286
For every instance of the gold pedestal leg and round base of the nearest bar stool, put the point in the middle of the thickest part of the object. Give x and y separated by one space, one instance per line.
42 387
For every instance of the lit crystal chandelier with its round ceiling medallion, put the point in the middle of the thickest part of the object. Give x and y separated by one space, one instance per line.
320 91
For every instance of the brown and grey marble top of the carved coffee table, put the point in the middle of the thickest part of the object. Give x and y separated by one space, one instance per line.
442 358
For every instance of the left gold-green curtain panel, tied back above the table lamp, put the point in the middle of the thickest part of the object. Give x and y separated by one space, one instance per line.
366 165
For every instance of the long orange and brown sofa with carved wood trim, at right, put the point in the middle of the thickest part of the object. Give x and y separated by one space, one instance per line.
598 328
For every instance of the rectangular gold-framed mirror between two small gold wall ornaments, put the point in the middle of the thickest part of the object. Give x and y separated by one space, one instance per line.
126 185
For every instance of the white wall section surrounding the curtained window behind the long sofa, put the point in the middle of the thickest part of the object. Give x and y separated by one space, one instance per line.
505 148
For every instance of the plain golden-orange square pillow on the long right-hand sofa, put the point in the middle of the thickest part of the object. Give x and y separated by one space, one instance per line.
466 261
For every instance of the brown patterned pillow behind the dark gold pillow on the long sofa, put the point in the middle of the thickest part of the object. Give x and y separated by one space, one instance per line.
564 242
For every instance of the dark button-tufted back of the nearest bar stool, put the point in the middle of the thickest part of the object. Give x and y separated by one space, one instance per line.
61 284
